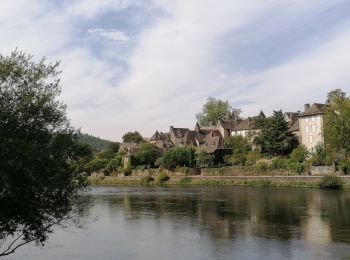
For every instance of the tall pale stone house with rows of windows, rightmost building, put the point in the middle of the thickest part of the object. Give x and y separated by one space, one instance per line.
311 126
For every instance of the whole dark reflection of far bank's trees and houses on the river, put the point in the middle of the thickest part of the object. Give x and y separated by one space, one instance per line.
281 214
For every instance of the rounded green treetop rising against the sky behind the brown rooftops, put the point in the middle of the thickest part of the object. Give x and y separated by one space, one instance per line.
214 110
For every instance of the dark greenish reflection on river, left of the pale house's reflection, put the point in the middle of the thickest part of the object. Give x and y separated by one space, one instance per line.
224 212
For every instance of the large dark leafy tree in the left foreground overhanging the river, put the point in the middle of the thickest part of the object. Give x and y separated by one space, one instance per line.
39 154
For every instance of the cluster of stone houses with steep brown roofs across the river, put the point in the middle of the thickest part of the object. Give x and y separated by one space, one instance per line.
307 126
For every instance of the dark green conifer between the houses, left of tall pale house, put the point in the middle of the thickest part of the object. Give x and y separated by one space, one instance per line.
272 135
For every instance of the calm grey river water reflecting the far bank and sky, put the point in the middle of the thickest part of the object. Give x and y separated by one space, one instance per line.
204 223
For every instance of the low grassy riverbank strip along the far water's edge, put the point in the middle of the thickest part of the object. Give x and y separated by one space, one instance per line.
252 181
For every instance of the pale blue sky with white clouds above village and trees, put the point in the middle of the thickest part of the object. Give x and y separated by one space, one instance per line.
147 65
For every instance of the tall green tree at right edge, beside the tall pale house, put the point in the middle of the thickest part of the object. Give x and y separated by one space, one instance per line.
337 124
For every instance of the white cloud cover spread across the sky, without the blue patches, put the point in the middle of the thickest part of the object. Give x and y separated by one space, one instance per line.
173 67
